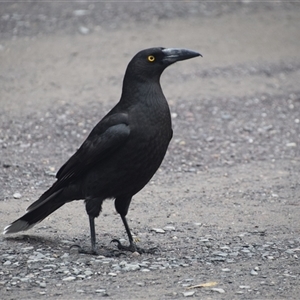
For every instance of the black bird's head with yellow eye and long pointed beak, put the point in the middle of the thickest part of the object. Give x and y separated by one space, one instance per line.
149 64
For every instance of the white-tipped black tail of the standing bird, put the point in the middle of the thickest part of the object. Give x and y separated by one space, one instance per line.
36 214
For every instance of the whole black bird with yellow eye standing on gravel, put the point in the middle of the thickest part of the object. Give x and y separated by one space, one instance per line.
121 153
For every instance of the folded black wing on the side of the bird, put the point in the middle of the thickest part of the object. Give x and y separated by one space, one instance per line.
107 136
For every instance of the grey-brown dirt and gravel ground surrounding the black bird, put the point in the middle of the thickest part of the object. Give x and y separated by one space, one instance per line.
224 206
